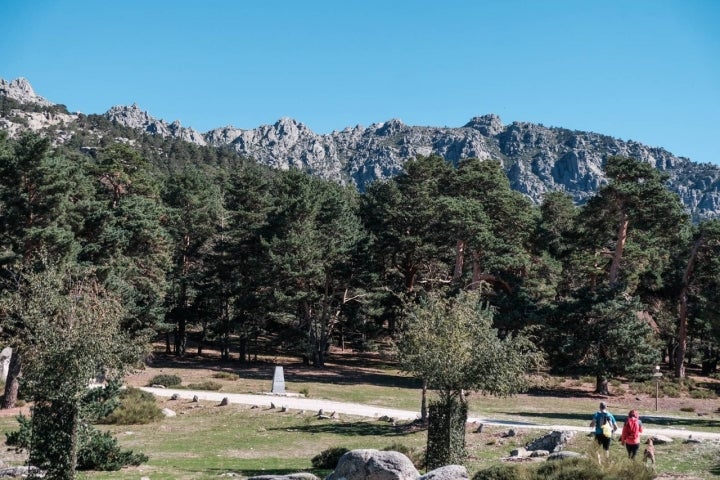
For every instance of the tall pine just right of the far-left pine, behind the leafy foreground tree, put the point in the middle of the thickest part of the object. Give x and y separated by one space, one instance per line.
134 249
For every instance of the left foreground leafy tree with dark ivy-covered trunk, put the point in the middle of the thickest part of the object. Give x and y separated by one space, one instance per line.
70 330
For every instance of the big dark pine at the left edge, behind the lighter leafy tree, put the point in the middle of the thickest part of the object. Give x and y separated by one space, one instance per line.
45 202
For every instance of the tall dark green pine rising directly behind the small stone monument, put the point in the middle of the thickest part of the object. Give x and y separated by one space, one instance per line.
311 237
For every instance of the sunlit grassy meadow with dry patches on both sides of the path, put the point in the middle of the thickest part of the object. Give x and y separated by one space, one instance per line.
205 440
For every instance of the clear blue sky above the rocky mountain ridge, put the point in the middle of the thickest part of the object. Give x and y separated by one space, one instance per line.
646 70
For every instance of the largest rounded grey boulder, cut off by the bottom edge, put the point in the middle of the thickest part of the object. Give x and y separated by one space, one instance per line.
368 464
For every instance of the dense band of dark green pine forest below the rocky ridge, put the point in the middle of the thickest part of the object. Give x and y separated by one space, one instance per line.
234 252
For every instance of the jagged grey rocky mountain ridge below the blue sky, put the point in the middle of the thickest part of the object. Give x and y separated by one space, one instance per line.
536 158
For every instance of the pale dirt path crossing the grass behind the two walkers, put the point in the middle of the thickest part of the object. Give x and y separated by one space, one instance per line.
371 411
